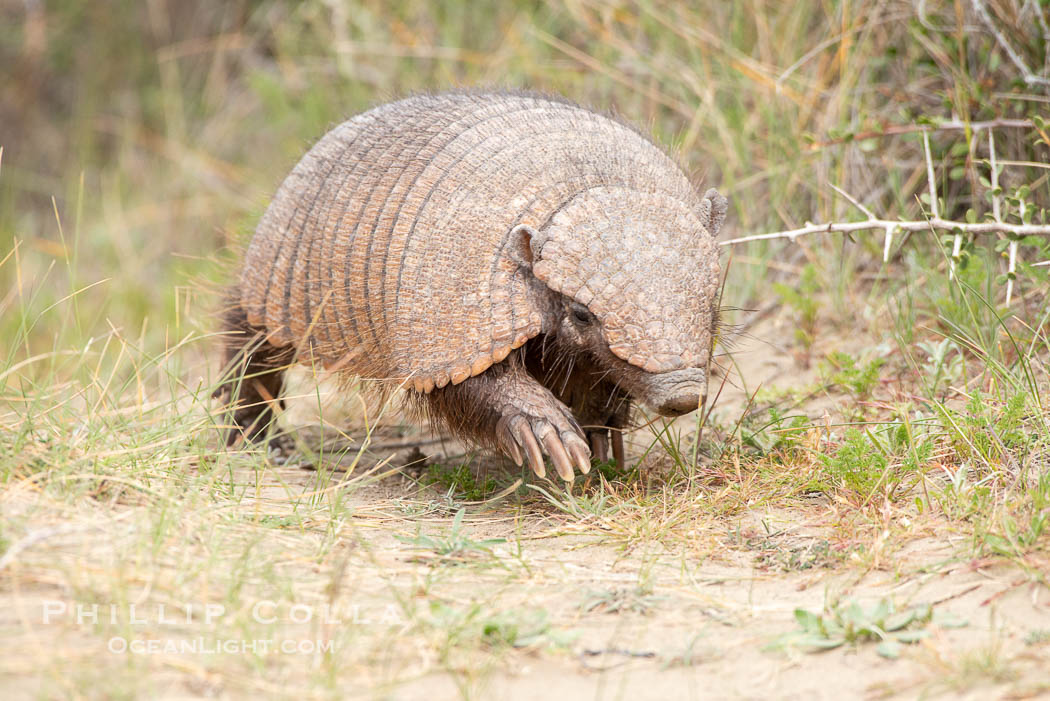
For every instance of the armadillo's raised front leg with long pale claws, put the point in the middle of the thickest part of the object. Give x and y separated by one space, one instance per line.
508 409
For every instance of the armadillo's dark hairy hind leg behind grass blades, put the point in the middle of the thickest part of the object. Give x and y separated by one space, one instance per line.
254 374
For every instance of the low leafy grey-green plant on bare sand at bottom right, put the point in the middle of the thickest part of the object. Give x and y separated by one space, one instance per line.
851 624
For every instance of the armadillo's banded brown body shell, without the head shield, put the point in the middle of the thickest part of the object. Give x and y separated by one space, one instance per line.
387 251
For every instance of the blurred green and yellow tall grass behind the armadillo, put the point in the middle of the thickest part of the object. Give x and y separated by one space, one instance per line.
141 138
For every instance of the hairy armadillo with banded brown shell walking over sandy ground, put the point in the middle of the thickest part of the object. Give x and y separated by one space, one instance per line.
526 268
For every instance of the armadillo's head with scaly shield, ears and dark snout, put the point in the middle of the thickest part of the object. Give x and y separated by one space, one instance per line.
638 274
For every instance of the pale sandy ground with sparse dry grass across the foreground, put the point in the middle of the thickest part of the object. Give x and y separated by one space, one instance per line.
599 607
